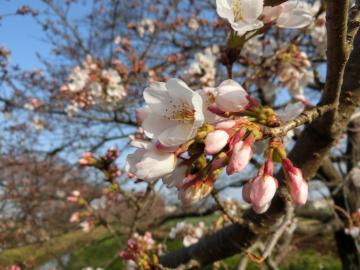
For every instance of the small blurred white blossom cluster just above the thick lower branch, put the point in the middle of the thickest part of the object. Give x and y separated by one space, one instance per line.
190 233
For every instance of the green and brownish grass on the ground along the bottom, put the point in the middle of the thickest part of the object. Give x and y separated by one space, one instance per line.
99 249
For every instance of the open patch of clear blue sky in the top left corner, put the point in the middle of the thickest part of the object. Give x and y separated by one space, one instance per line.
21 34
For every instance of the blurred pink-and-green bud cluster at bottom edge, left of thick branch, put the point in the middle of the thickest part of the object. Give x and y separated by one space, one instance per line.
142 250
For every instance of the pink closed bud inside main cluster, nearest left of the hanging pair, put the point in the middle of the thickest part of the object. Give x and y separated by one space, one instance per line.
240 157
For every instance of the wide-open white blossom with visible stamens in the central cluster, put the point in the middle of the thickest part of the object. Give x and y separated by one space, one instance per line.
176 112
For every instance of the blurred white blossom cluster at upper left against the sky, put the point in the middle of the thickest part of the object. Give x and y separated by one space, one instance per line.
93 84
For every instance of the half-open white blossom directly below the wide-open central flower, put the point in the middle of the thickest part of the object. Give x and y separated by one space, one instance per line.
148 163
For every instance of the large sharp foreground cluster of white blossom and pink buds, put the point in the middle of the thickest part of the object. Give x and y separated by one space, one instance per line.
198 134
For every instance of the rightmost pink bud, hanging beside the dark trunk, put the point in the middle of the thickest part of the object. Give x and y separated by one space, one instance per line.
296 183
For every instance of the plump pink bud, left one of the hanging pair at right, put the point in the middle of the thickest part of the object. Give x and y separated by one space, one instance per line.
262 191
